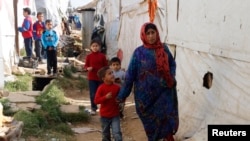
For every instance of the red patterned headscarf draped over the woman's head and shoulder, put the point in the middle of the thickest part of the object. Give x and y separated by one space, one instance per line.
161 55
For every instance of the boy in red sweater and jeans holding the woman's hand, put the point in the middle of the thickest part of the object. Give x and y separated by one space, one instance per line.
109 111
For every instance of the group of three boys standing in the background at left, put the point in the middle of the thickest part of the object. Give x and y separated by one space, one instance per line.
46 39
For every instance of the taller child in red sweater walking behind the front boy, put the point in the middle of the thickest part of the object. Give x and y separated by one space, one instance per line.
94 61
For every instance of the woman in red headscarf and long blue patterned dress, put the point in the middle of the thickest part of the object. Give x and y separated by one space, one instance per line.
152 73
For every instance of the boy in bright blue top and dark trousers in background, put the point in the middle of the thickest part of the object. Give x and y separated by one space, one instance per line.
50 41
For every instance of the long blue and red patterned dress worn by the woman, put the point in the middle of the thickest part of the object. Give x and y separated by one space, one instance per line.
156 104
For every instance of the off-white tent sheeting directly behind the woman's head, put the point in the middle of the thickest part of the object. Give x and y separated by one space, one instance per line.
133 15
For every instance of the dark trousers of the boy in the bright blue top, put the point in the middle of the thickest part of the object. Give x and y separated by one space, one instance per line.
51 61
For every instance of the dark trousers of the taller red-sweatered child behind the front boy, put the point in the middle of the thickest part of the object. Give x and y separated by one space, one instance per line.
93 85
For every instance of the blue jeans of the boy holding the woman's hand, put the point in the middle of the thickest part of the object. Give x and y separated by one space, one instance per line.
114 124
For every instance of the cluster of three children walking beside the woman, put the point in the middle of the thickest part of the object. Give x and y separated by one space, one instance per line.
105 80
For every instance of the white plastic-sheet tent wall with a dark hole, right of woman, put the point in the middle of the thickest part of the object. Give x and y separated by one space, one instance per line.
210 36
